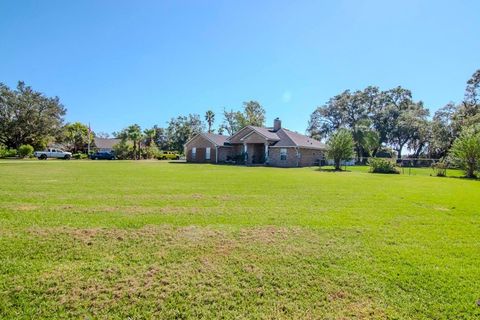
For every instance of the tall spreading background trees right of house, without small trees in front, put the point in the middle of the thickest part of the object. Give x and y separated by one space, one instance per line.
392 120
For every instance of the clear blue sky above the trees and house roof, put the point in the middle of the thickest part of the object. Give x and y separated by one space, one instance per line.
114 63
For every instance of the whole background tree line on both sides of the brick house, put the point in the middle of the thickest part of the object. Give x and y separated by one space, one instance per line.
381 122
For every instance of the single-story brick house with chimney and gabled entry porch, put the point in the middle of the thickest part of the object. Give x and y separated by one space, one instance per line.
276 146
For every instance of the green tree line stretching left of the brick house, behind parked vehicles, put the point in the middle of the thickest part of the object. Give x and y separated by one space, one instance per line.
29 120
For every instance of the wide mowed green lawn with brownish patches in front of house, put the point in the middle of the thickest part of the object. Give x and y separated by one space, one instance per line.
110 239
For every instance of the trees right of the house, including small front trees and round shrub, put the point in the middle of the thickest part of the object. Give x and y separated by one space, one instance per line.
370 121
